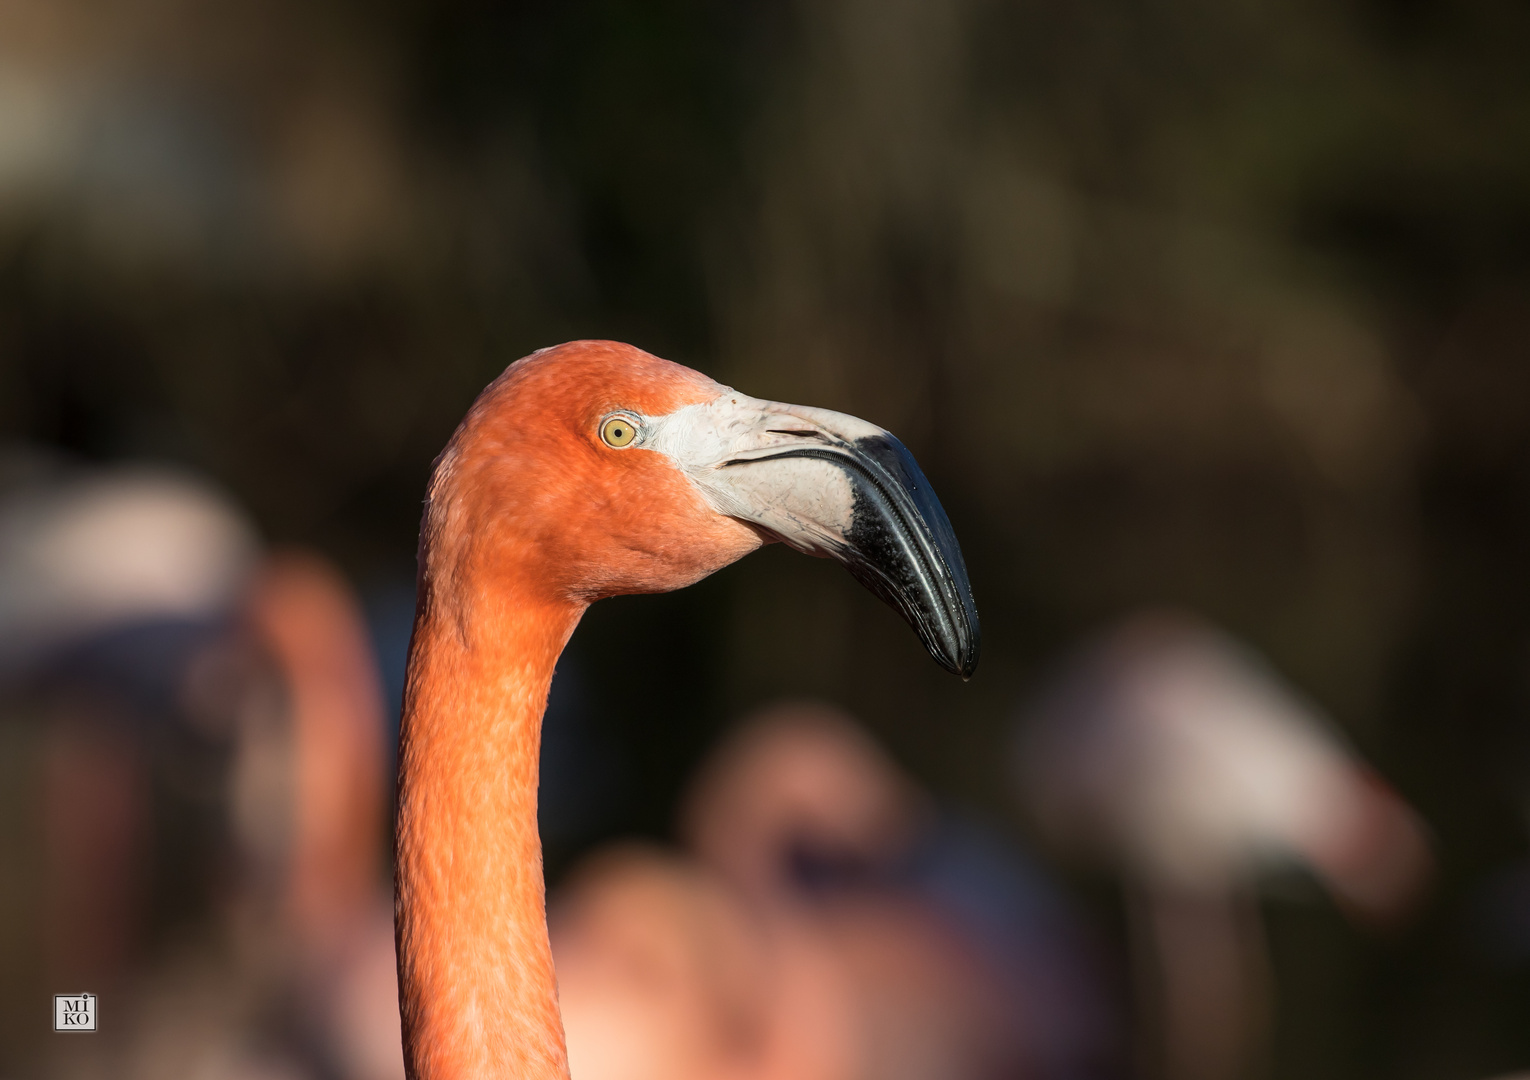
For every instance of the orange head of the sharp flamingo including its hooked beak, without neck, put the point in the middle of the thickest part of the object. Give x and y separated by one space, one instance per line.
614 472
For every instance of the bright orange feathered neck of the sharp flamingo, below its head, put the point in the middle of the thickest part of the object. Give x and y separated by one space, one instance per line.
477 983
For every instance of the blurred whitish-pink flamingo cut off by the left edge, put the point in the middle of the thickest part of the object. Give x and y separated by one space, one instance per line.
109 582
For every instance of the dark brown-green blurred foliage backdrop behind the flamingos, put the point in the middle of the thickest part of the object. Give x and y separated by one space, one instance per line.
1220 305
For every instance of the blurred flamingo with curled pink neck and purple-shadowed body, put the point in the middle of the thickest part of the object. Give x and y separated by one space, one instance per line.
962 960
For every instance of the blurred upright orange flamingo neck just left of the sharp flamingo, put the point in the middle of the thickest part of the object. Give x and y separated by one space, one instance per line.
333 902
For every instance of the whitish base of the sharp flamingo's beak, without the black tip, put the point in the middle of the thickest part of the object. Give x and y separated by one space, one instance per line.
807 503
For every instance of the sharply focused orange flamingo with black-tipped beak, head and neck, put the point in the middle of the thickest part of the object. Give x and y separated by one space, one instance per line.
591 470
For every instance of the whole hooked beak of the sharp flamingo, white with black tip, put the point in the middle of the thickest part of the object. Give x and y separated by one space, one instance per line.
836 487
